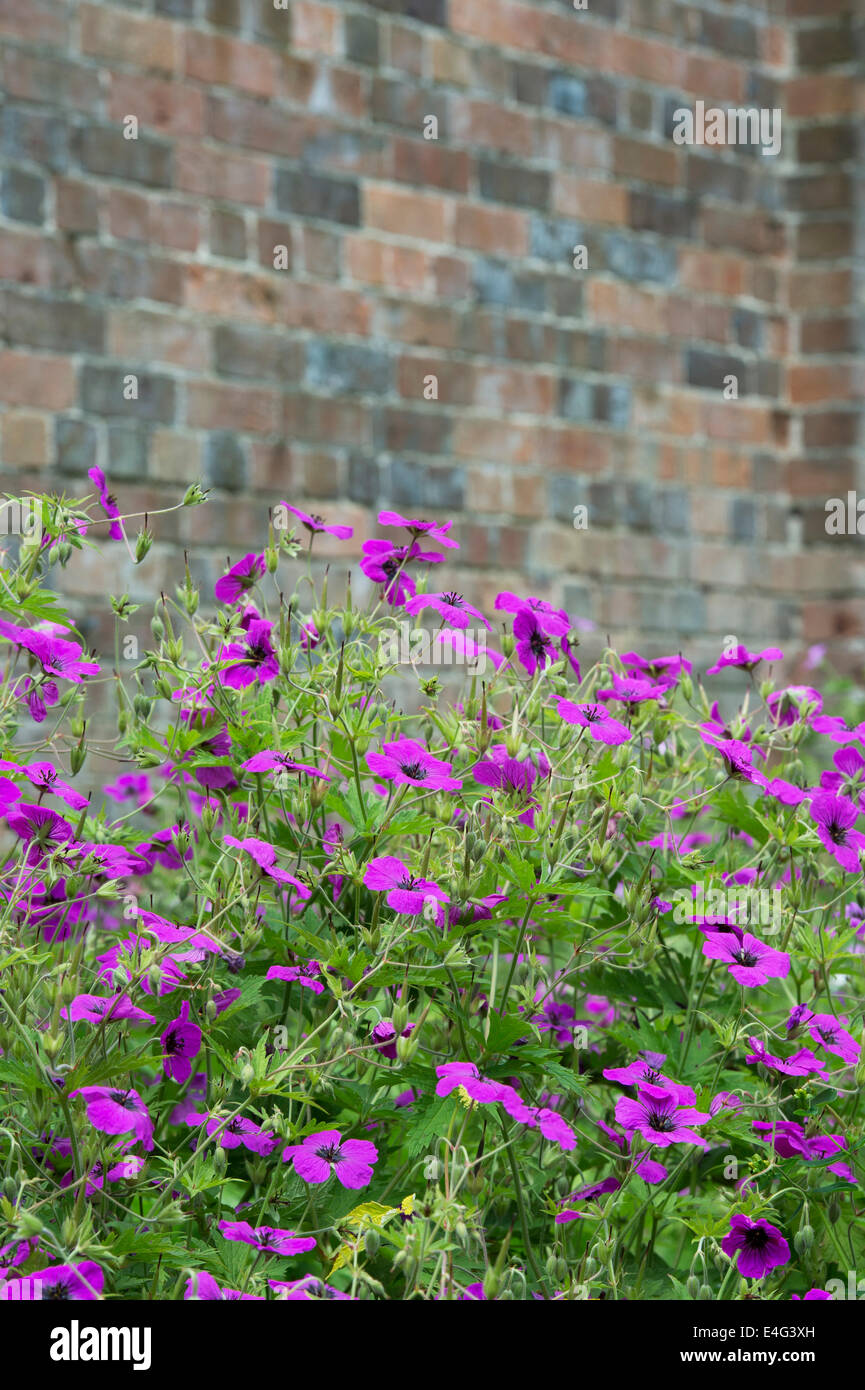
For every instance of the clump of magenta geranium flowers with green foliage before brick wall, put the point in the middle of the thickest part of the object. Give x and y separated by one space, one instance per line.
314 995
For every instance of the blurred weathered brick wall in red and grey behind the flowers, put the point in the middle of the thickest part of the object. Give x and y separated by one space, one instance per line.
408 258
